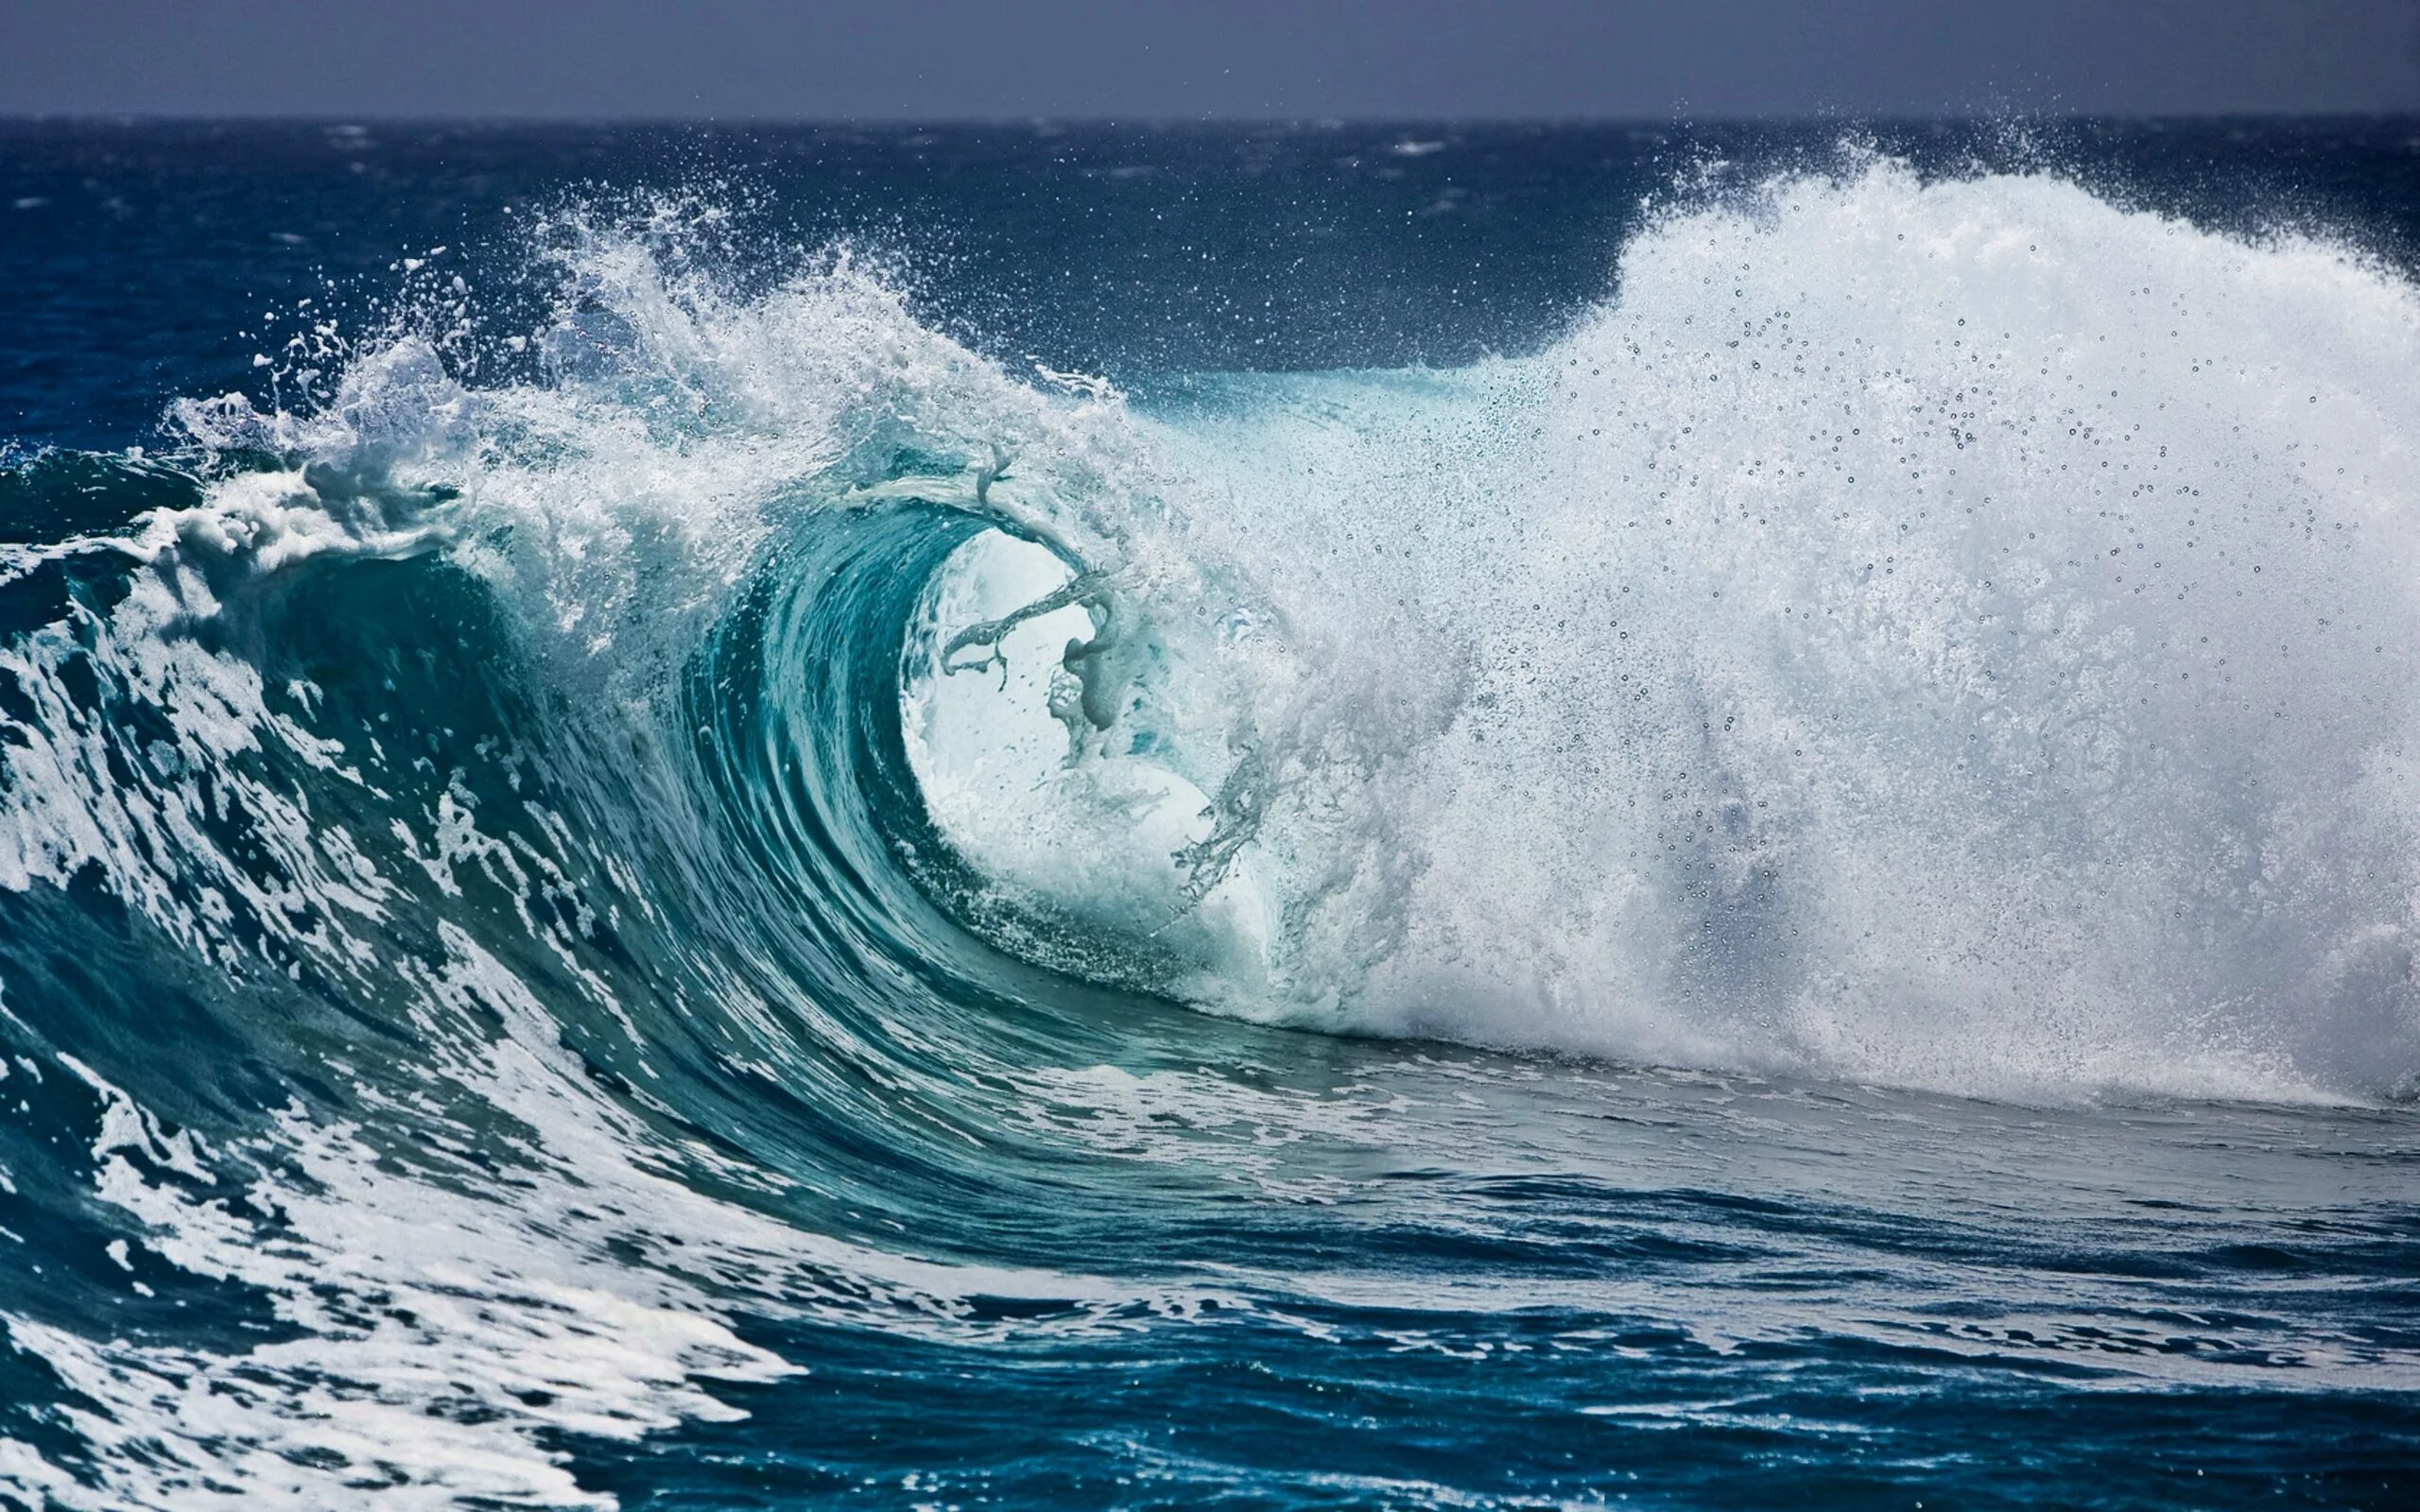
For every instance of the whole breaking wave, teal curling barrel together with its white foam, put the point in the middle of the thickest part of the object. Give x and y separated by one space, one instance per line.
621 816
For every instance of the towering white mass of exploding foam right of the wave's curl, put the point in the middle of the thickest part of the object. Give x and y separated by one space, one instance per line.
1930 633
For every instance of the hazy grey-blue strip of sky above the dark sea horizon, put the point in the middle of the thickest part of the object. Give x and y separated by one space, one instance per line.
1199 59
